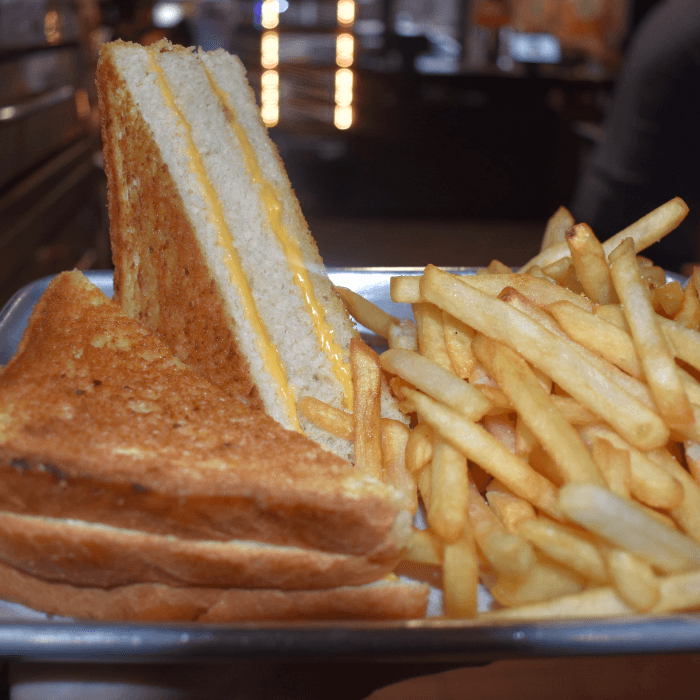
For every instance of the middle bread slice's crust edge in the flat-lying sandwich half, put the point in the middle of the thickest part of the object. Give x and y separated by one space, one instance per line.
85 554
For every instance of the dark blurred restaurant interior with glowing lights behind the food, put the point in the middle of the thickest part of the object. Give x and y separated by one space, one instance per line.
413 131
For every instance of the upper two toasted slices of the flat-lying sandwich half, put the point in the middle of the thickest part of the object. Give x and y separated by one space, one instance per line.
120 465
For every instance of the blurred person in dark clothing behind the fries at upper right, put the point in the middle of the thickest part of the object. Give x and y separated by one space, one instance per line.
650 152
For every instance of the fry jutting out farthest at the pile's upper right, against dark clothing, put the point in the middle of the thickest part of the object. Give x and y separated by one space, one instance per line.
646 231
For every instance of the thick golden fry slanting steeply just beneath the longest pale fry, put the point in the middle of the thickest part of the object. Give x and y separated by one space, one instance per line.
534 407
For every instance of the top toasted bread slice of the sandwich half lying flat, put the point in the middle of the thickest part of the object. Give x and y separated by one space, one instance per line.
99 422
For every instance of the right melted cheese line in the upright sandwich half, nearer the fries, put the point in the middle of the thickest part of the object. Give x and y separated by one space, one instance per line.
291 248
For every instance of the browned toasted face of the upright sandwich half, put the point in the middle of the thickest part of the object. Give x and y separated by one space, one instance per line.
155 251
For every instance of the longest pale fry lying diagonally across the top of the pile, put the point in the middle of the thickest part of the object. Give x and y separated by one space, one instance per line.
544 350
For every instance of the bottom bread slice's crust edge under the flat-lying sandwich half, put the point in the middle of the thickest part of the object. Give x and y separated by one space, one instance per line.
150 602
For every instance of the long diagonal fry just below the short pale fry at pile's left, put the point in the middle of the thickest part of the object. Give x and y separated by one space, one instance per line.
474 442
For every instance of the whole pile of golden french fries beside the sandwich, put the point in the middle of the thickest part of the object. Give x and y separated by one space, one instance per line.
554 440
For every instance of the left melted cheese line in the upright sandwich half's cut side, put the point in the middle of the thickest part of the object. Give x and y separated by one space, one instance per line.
271 361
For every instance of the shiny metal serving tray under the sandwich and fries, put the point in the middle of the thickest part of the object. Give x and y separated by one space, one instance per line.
29 636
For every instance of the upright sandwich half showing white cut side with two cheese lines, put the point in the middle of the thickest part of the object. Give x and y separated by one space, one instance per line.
210 247
